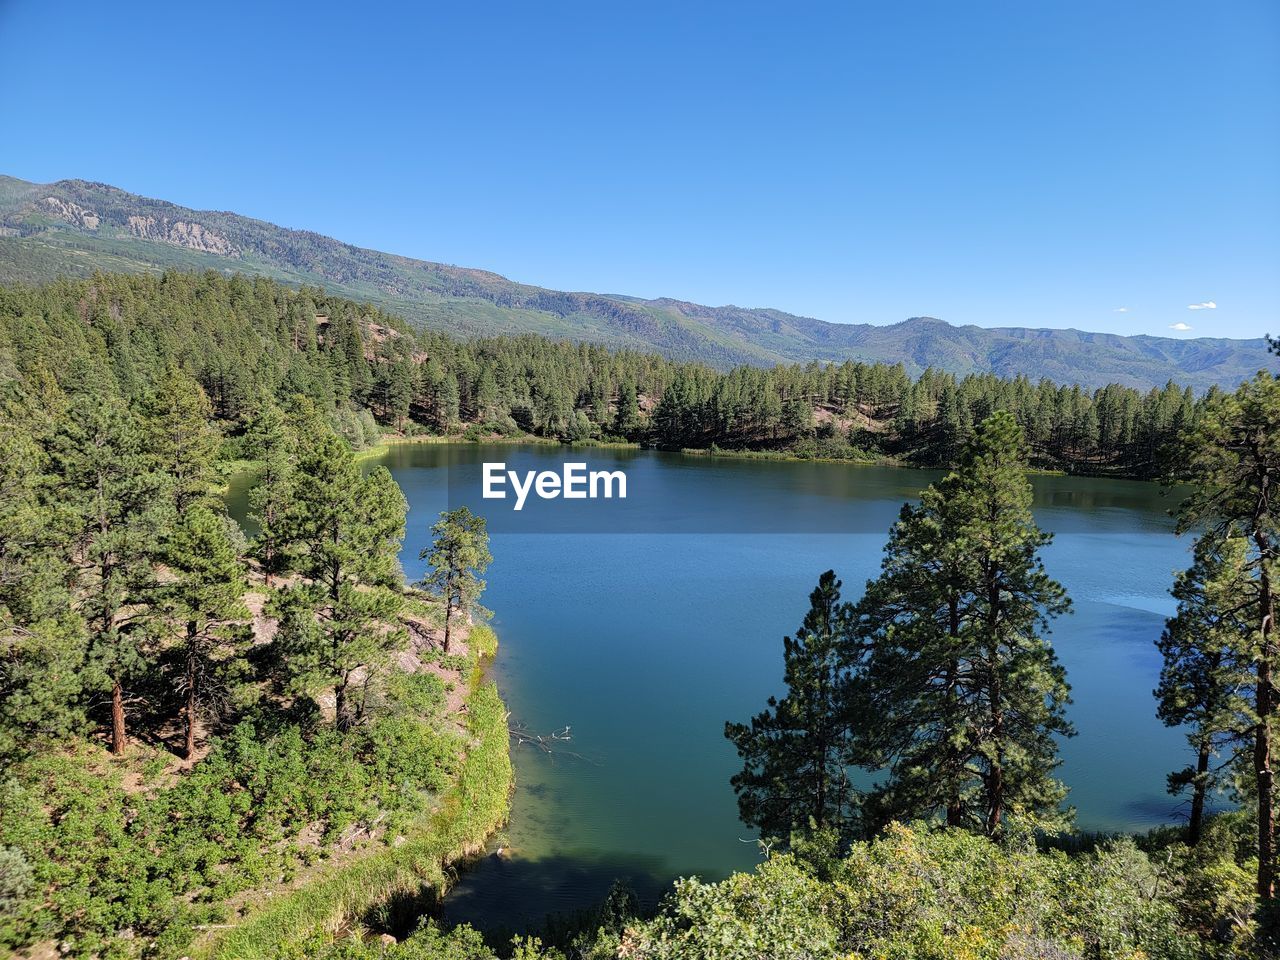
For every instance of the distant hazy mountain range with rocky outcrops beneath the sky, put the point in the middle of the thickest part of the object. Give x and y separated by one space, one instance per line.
75 227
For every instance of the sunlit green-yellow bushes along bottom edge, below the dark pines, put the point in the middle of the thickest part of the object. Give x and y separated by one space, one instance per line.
921 894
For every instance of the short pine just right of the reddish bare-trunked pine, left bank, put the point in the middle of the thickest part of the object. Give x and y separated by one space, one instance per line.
207 602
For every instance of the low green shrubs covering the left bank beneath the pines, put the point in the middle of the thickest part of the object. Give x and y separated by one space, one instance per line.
161 861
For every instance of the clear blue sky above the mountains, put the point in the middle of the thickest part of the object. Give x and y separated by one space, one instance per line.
1048 164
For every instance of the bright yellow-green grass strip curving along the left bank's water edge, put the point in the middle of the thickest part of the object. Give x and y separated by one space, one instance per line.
473 811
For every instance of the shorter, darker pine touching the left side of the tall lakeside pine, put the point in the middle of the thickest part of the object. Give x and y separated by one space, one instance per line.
797 753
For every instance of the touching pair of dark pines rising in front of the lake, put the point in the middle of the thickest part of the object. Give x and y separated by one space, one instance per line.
939 678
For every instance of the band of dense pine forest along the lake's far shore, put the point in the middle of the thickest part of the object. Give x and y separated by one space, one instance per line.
252 342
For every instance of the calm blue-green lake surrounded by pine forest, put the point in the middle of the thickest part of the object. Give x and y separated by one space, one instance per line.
644 641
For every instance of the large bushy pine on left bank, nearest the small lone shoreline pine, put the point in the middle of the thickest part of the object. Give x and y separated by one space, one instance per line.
341 625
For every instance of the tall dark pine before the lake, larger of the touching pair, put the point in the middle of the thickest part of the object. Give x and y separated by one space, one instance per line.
968 694
